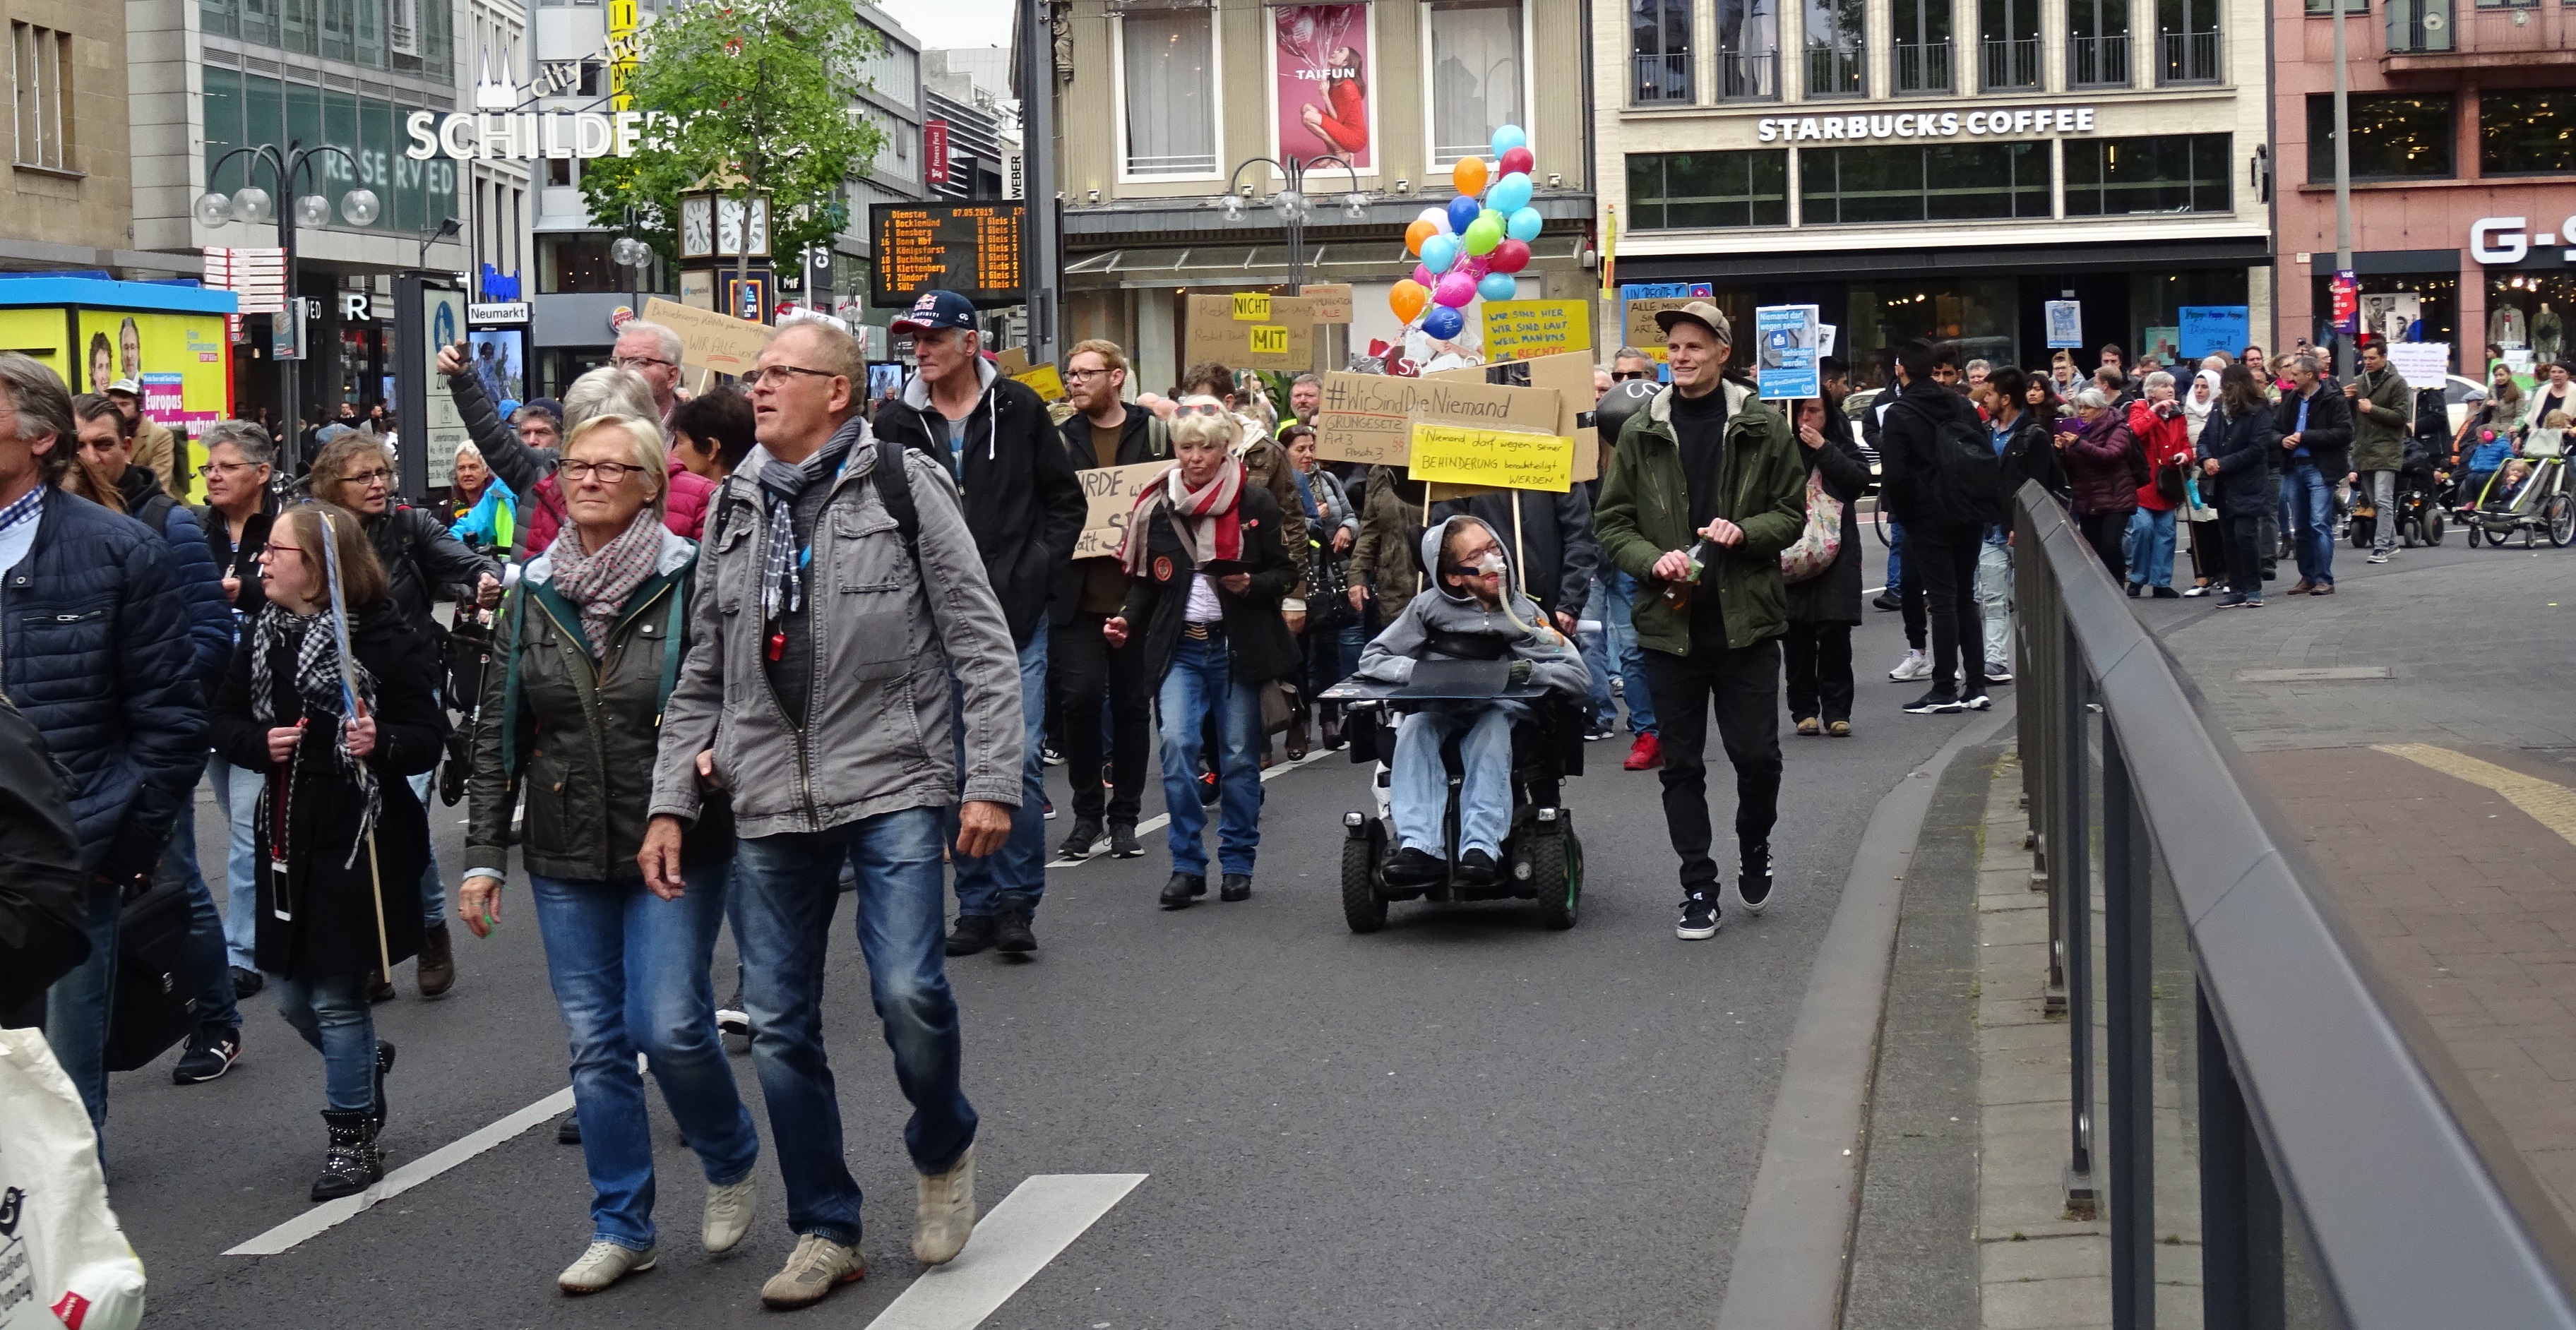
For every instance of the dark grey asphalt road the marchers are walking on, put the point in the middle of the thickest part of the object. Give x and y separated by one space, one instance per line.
1457 1123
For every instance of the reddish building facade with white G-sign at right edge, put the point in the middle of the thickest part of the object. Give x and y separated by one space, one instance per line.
2464 171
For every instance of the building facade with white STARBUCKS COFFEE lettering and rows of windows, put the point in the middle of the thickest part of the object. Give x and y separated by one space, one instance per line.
1944 169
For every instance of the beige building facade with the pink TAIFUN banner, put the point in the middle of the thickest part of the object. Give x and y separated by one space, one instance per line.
1168 107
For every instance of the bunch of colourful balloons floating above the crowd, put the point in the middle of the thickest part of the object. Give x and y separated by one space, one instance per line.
1472 249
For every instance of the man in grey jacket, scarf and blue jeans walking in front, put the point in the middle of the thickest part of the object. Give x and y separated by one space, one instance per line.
836 602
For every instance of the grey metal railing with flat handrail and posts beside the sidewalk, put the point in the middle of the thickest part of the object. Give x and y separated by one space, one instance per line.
2260 1115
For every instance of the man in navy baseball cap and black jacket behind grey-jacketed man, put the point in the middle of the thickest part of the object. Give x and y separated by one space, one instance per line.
1024 506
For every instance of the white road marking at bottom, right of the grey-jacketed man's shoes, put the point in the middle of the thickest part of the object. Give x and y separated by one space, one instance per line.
1009 1246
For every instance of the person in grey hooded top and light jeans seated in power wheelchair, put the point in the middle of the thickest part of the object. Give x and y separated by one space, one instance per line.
1475 612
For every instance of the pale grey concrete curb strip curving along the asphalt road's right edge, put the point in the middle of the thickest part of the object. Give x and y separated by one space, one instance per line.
1794 1244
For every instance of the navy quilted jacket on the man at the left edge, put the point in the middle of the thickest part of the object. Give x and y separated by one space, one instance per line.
94 648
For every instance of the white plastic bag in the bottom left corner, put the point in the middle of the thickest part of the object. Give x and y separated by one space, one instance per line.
63 1259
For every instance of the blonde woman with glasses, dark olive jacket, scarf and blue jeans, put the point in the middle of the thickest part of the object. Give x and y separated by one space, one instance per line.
589 651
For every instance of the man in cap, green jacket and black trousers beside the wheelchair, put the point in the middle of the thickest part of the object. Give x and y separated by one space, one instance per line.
1701 499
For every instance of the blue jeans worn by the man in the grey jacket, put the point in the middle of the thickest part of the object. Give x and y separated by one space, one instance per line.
782 906
